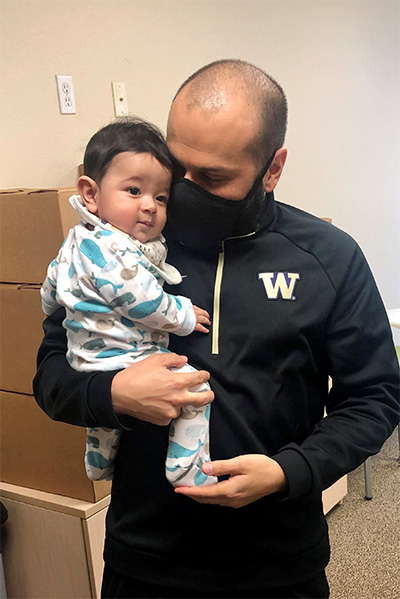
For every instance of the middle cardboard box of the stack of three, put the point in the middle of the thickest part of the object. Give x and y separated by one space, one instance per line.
21 320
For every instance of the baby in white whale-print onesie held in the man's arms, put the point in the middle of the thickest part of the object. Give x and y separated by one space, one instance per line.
109 275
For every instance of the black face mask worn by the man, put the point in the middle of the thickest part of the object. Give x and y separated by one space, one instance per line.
202 220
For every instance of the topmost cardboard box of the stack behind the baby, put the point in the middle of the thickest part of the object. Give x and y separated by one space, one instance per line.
33 225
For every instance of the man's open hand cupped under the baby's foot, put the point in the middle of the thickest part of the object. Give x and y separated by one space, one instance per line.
252 476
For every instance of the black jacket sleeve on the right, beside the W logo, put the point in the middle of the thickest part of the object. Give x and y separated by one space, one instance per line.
363 404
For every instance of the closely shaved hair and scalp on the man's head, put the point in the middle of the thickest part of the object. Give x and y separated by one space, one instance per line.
216 85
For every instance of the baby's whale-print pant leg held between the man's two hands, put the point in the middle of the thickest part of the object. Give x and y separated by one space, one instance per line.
189 443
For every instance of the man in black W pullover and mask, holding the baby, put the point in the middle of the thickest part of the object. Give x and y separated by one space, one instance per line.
292 302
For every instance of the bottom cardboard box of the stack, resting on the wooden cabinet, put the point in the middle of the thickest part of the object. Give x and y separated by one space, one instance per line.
39 453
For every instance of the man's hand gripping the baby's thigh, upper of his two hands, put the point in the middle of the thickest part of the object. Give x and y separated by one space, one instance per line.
149 391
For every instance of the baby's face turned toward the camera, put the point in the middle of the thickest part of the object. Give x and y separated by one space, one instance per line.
133 195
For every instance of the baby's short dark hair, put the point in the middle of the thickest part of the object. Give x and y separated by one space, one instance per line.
127 134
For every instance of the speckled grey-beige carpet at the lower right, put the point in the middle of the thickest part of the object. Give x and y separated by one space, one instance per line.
365 535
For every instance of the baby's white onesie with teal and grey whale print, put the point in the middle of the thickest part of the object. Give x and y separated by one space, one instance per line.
116 313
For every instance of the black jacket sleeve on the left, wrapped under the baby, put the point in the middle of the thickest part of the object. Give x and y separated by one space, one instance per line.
79 398
